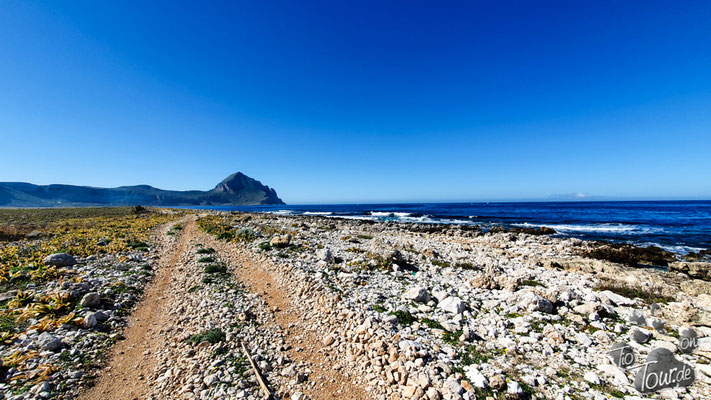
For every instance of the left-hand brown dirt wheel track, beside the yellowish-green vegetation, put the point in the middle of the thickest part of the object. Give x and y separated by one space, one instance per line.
131 361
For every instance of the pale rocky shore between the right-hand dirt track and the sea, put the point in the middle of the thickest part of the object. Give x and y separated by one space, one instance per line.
452 314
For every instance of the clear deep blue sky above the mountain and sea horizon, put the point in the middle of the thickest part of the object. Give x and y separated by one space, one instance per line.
362 102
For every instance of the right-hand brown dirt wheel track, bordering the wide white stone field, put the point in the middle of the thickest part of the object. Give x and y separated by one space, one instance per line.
307 347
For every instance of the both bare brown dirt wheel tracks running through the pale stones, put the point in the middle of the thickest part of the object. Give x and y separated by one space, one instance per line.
133 360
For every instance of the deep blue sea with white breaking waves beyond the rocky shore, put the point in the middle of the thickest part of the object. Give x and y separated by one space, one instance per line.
680 226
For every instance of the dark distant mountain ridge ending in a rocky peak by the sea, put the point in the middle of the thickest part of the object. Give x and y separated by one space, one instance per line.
236 189
